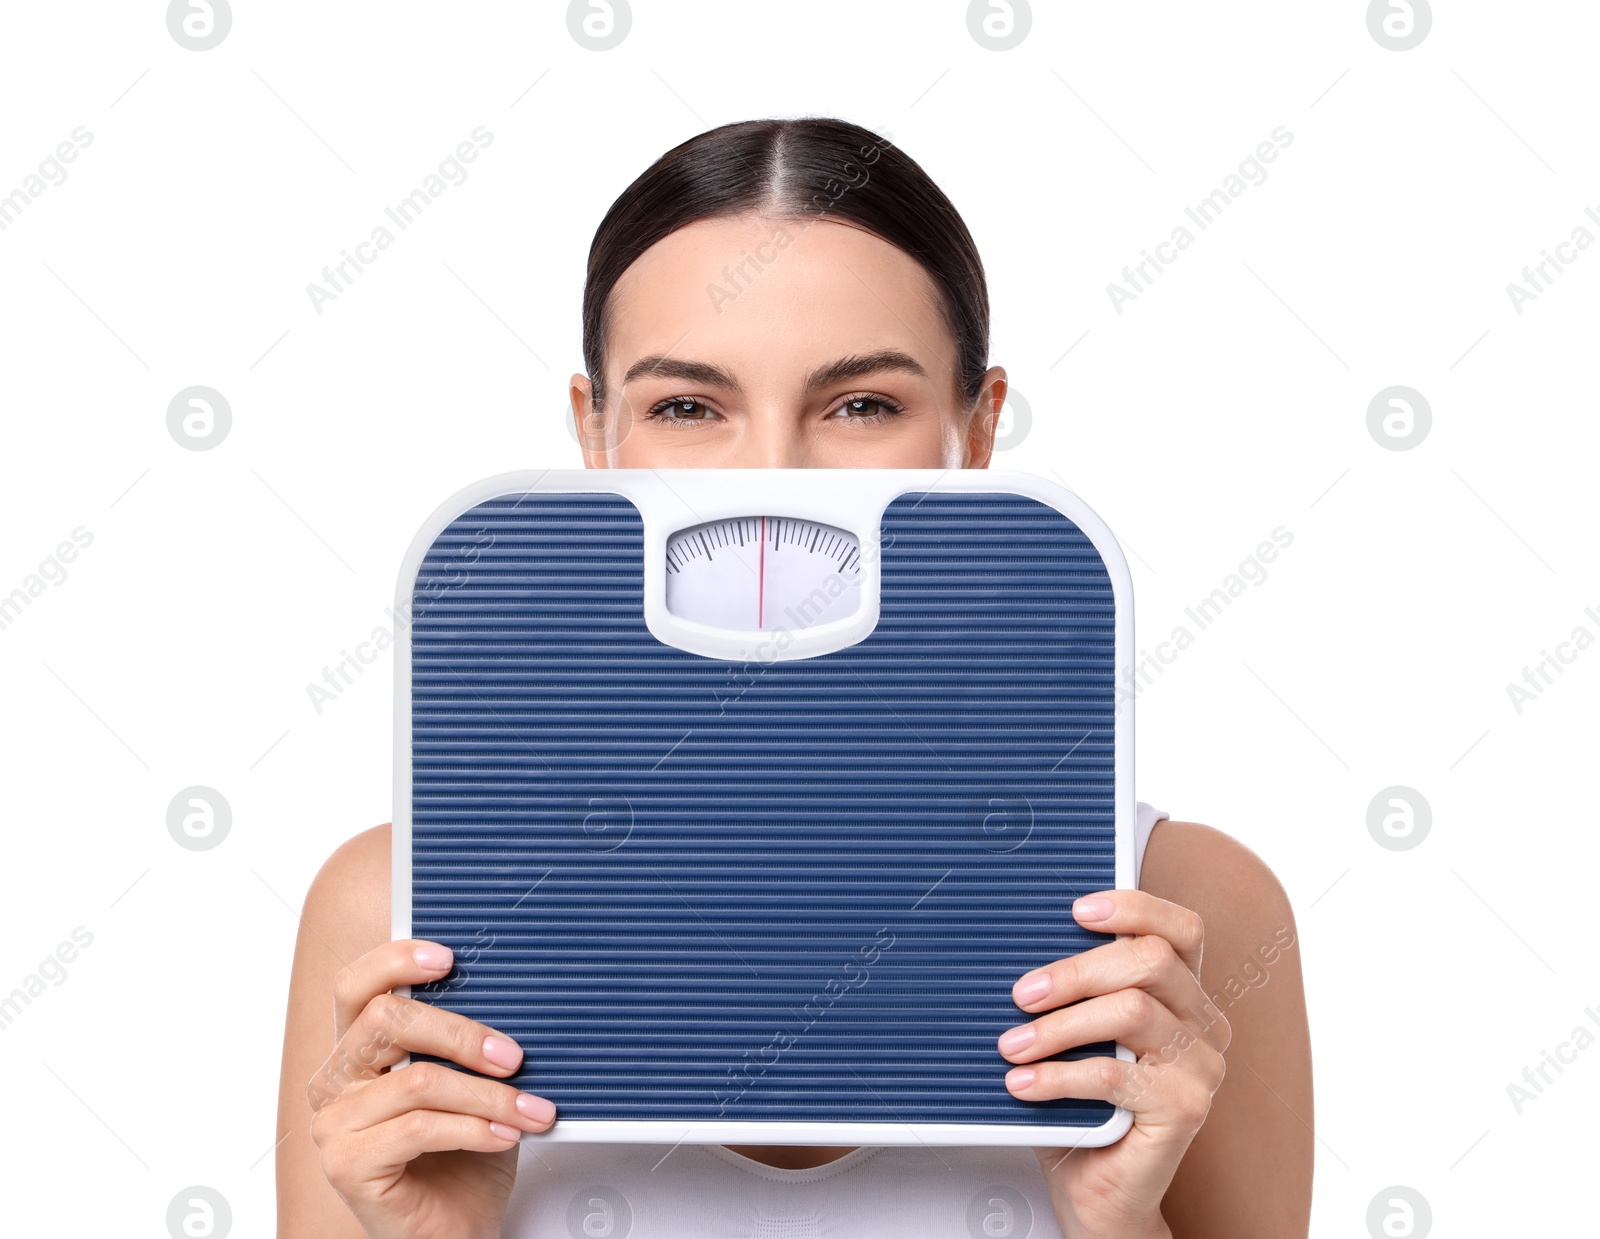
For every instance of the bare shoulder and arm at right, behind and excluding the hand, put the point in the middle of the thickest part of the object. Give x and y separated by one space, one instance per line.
1247 1174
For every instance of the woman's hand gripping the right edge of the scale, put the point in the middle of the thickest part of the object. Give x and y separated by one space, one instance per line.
1145 993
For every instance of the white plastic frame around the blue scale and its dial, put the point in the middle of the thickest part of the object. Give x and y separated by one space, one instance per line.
847 499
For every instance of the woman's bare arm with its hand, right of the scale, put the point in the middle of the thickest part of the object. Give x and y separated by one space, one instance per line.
1204 987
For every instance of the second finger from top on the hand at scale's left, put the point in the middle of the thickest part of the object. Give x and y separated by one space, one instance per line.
393 1027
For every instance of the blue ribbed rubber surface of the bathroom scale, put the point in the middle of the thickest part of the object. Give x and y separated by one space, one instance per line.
695 889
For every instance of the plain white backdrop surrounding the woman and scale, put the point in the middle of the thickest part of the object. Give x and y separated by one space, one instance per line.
1228 399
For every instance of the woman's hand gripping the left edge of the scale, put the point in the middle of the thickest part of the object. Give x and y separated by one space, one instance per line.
426 1150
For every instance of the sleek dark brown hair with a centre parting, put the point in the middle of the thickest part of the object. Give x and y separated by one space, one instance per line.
814 167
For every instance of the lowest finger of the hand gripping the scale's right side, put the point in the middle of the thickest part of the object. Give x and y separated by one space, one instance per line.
1161 1096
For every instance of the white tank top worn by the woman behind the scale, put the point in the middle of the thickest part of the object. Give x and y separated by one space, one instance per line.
708 1192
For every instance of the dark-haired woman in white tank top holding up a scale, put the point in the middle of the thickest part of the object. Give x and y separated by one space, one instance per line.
798 294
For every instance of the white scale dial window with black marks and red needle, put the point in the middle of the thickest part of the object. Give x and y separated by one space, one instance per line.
761 574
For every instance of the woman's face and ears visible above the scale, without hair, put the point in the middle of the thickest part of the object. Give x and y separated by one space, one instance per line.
748 342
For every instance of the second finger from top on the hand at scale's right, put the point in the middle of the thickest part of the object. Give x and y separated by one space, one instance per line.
1150 963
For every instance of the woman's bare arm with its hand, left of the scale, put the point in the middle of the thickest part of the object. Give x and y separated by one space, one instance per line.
372 1153
